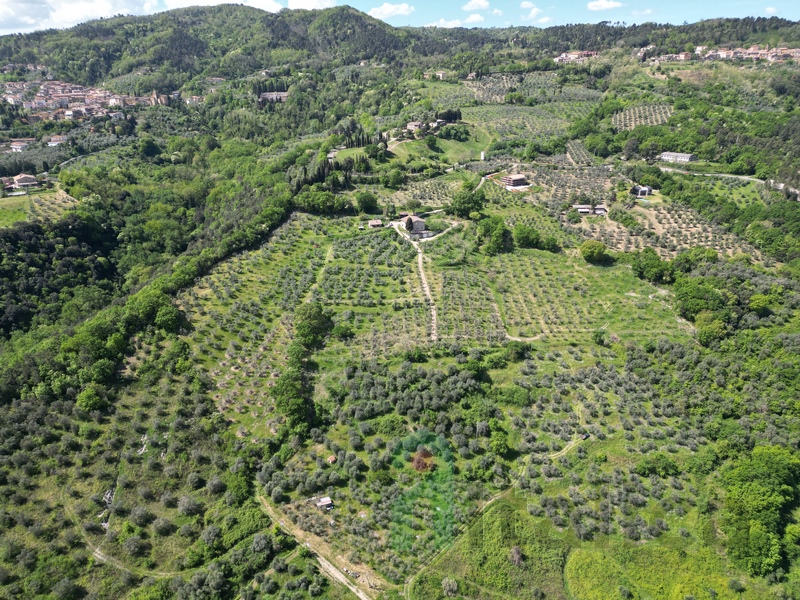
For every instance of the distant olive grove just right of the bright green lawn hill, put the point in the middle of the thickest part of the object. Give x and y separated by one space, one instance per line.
505 122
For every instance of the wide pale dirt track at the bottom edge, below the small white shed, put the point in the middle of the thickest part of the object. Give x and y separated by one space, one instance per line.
331 564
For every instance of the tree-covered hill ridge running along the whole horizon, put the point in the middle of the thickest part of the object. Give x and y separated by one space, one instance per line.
233 41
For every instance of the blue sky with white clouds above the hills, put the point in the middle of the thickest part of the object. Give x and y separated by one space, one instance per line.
19 16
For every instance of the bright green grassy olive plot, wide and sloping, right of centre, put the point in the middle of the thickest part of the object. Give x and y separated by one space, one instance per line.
560 297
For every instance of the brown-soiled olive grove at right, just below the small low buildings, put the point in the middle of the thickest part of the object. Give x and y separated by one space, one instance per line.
669 229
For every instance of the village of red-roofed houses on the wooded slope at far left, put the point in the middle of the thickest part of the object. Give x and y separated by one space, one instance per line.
55 100
